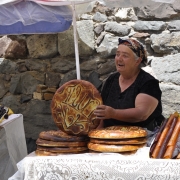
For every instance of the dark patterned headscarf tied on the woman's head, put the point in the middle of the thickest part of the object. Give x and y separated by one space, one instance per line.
136 47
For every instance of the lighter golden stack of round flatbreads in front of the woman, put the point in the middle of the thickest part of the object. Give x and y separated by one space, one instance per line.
117 139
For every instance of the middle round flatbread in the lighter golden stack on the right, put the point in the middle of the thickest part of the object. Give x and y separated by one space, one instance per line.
119 141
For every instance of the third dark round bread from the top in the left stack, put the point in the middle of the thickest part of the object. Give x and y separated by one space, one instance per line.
62 149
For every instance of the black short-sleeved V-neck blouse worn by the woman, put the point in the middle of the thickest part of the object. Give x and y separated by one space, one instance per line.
144 83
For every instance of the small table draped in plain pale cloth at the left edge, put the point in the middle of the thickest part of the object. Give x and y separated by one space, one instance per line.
12 145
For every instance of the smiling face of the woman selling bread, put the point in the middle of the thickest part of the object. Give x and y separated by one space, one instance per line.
125 59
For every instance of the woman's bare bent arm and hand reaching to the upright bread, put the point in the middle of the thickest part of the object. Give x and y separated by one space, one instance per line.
144 107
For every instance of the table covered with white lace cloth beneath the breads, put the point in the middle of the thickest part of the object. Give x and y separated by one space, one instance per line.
97 166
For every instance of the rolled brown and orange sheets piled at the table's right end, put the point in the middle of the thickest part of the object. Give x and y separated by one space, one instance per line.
166 144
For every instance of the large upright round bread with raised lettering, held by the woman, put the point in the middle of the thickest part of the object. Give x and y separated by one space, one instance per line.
72 107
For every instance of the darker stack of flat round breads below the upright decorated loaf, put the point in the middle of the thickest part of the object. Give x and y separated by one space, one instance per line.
52 143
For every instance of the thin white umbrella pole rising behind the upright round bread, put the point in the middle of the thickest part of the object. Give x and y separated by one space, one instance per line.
76 43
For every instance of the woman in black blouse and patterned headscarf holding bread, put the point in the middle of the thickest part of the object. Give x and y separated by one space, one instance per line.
130 96
